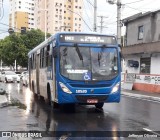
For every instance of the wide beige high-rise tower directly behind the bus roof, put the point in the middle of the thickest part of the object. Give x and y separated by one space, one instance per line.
58 15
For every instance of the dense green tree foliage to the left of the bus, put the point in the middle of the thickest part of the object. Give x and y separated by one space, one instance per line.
16 47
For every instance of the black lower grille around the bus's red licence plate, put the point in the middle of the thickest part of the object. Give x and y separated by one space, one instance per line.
100 98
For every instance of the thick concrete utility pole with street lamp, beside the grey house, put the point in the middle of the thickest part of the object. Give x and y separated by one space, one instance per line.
119 4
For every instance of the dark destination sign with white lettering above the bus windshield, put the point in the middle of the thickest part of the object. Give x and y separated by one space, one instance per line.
87 39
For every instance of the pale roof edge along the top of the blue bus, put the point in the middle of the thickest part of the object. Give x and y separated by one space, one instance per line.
41 45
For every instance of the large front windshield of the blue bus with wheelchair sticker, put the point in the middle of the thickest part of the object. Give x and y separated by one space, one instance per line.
88 63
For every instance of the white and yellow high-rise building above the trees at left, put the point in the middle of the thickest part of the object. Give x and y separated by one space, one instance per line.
21 15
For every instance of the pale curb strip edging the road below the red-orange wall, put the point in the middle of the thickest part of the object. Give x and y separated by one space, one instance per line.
141 96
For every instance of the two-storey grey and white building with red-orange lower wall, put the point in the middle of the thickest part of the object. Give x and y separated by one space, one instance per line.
142 51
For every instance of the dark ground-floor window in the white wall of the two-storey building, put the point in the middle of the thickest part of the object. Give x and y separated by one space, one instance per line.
145 64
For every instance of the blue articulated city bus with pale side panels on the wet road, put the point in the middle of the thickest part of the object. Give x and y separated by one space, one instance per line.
82 68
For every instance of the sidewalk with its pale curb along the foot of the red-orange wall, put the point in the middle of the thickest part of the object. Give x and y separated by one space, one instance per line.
141 94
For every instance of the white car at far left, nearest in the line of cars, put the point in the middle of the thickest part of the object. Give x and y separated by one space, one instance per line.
9 76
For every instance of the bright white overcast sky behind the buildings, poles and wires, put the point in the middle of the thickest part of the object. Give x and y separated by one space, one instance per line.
129 7
